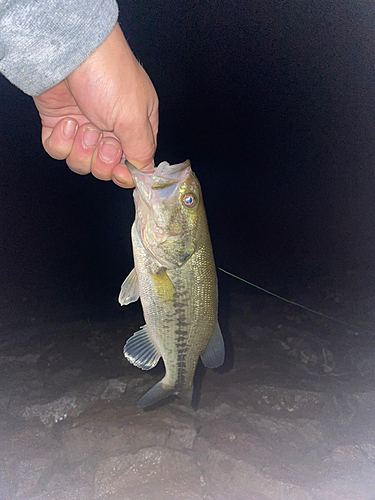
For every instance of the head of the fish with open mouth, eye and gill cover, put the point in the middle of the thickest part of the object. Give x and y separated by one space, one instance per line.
168 205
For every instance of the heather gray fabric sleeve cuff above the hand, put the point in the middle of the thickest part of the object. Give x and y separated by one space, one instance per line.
43 41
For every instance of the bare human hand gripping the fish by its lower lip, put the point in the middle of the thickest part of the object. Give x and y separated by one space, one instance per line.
105 109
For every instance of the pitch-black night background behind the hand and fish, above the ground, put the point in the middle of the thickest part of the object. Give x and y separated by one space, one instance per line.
273 102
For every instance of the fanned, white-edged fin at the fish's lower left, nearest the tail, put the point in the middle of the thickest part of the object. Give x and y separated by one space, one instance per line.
140 350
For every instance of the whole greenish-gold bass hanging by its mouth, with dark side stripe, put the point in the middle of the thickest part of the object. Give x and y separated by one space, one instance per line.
175 278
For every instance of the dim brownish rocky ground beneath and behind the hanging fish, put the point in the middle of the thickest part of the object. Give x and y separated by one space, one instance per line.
290 416
